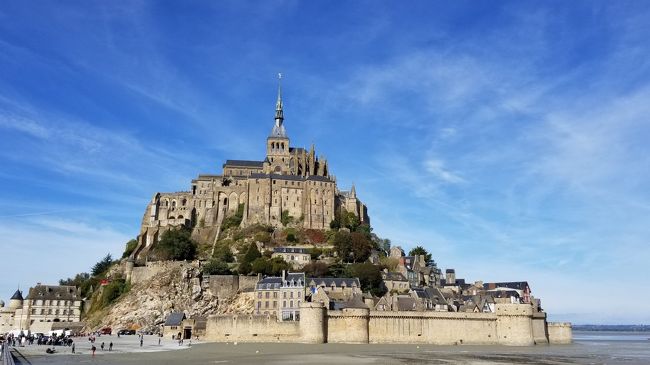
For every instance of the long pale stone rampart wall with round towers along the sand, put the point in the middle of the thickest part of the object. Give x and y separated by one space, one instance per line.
512 324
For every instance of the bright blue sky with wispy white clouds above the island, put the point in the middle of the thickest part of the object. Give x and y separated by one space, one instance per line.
511 139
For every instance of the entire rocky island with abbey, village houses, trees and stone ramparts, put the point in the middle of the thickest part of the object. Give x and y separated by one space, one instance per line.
273 251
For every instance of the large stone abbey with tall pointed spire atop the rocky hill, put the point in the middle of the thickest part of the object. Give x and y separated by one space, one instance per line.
289 180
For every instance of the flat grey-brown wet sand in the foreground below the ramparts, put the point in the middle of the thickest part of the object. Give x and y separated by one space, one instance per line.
348 354
